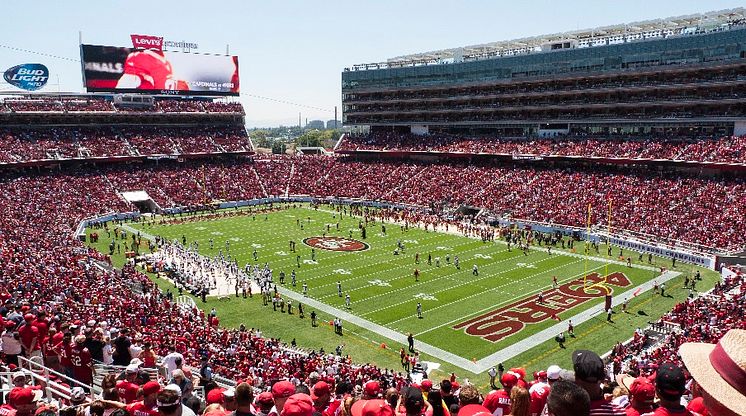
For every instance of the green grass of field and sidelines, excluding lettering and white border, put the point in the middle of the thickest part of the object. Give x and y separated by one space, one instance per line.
383 289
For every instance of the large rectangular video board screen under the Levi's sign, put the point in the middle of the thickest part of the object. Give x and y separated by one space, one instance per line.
120 69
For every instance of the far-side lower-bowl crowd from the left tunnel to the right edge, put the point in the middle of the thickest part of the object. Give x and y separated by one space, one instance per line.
699 210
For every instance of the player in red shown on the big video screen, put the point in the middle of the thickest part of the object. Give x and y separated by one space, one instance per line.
148 70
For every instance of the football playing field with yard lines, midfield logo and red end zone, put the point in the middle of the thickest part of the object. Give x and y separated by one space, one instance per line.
471 314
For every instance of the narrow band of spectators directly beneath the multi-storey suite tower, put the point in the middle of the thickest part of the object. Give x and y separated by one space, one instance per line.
730 149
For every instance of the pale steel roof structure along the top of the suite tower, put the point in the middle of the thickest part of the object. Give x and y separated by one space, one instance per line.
678 25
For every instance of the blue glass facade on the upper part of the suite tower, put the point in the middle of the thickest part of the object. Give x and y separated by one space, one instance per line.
684 50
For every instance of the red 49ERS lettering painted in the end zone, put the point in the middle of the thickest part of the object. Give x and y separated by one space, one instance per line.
511 319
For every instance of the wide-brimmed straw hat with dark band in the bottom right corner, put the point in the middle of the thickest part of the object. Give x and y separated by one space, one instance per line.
720 370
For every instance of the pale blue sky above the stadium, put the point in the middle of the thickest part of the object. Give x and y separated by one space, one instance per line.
295 50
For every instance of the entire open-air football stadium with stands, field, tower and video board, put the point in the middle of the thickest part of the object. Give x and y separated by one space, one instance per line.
571 205
